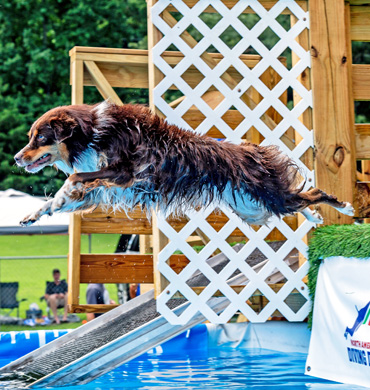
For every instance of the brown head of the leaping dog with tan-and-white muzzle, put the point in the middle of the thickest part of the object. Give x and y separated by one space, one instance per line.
48 139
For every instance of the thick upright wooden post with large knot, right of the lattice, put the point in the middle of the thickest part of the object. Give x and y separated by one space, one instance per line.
333 105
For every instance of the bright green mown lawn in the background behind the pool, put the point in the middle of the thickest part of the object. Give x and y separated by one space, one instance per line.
33 274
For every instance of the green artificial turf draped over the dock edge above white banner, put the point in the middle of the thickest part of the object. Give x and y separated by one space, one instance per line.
335 240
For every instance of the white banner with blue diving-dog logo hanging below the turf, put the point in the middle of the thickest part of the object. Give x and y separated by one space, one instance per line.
340 341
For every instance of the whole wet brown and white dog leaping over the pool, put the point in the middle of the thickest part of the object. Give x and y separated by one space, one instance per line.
122 156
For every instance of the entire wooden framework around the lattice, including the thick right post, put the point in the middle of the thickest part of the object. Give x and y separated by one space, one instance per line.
336 84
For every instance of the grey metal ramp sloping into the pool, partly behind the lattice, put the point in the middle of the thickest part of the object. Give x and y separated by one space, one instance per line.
111 339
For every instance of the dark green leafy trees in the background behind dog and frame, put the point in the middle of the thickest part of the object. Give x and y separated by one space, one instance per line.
35 37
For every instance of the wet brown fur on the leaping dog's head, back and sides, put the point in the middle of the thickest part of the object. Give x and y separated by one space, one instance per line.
171 165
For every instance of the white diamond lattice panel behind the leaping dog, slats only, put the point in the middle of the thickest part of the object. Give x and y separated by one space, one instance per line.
253 116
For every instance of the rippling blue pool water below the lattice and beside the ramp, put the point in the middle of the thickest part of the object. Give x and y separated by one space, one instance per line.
188 362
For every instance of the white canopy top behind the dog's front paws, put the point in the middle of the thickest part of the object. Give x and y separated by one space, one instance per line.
15 205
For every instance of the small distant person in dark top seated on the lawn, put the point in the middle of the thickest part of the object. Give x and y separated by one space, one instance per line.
56 296
